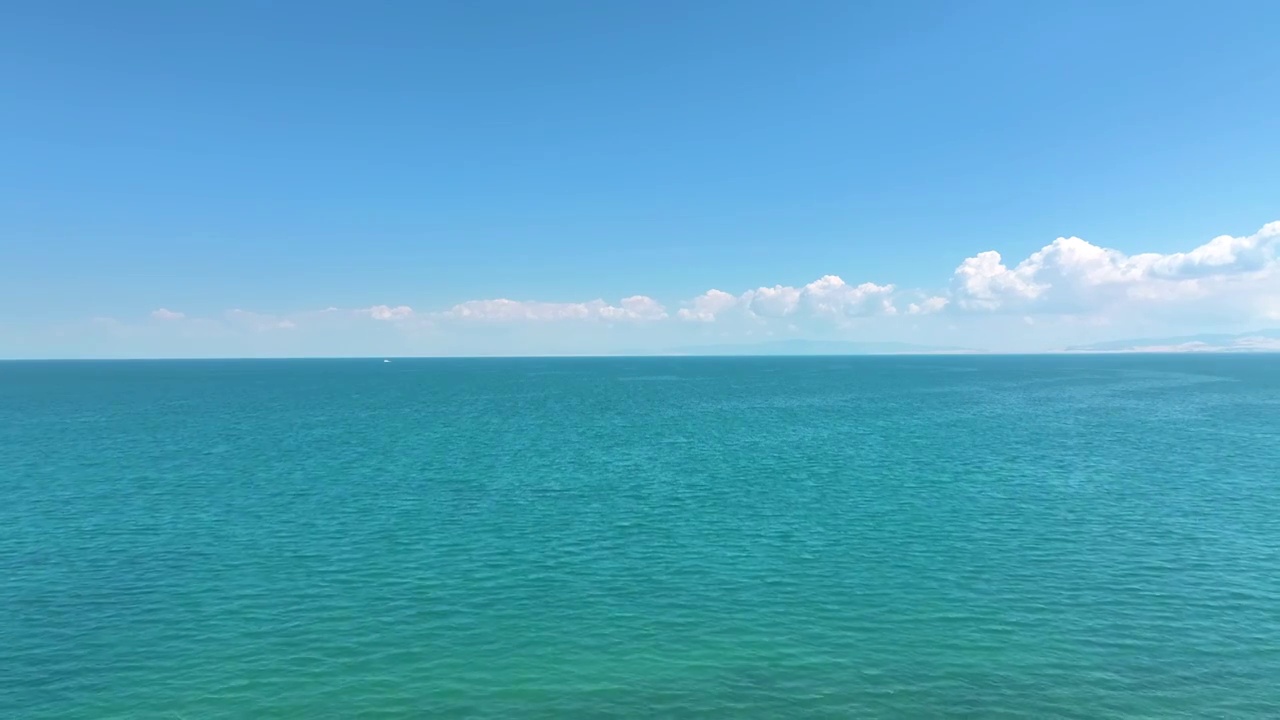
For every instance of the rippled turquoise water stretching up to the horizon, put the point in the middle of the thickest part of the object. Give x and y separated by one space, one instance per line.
826 537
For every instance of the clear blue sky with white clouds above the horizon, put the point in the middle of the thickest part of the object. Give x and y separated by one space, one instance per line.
441 179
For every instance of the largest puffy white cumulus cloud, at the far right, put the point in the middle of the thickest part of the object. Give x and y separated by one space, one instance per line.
1072 275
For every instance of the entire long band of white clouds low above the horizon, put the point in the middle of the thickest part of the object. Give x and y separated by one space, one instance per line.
1227 279
